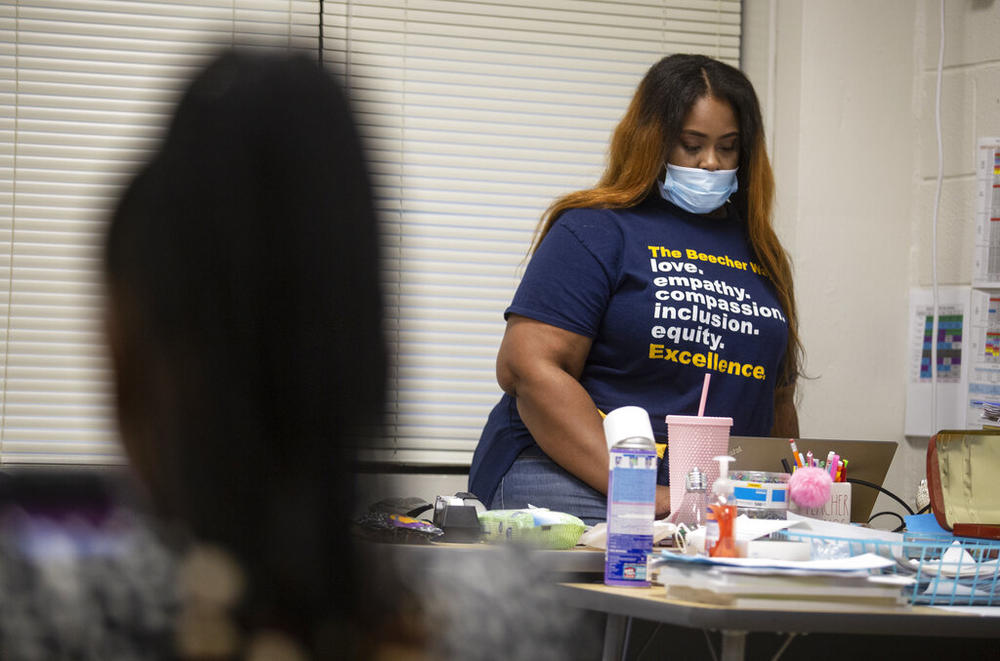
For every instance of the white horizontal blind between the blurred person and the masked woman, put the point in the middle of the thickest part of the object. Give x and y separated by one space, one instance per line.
478 114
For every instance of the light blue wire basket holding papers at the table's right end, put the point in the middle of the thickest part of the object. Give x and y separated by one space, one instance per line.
948 571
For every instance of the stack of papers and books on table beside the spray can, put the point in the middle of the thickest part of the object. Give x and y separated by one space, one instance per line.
754 583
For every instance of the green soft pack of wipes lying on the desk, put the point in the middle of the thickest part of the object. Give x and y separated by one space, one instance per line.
537 527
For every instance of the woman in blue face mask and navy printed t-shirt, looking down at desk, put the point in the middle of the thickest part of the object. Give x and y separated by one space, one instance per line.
669 268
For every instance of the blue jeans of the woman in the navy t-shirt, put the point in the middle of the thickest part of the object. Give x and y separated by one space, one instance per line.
534 478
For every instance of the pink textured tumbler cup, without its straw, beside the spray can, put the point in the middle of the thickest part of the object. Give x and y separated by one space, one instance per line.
694 441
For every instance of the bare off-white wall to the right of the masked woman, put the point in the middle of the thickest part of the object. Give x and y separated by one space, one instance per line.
848 88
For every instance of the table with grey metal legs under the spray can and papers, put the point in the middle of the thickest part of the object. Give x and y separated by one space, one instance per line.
734 623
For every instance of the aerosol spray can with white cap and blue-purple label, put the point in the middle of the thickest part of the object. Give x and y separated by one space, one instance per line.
631 496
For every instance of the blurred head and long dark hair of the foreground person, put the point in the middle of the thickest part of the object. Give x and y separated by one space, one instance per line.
244 322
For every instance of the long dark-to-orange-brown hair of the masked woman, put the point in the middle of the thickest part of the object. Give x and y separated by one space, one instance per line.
654 119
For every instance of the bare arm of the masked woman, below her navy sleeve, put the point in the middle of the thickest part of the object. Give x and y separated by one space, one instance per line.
540 365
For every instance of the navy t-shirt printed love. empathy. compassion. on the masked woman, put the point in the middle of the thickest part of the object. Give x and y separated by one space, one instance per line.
666 296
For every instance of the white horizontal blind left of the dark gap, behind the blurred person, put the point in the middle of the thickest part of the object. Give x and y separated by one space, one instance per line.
86 87
